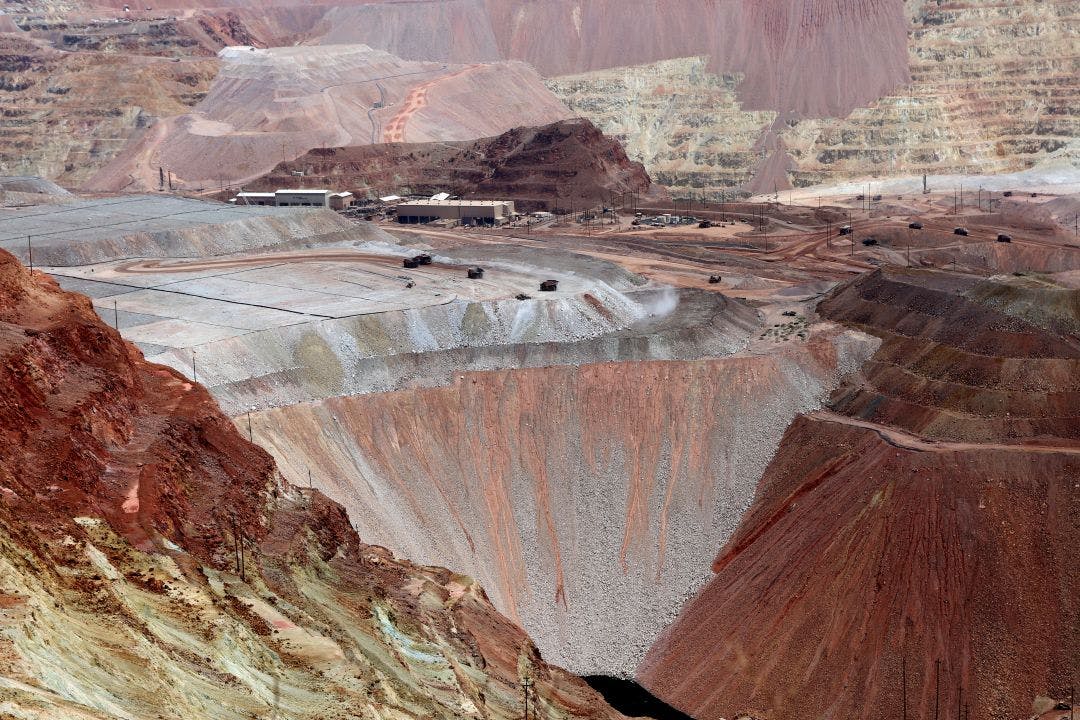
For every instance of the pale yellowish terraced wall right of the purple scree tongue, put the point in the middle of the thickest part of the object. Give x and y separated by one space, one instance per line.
993 91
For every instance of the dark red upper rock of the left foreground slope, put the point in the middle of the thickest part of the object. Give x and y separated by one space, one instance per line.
96 431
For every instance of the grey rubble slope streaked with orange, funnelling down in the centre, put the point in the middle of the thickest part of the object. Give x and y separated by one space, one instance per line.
588 499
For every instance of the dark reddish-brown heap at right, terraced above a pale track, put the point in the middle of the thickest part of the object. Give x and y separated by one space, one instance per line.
930 517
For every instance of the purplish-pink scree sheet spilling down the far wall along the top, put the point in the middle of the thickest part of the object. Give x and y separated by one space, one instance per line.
816 58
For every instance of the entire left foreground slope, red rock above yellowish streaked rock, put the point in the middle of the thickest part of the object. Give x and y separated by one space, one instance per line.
153 563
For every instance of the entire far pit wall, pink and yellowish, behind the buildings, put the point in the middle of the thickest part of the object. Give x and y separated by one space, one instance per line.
710 97
